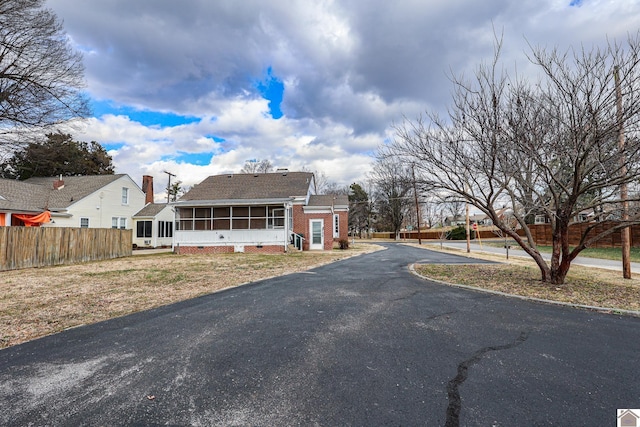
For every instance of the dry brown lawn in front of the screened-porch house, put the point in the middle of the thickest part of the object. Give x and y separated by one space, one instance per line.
41 301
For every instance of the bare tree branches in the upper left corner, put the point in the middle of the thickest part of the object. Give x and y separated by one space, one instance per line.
41 76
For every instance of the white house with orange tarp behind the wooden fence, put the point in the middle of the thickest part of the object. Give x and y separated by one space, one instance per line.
90 201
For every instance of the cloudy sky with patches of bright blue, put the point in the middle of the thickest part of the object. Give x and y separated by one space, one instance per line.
199 87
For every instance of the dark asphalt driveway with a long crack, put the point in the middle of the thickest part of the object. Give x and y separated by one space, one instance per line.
360 342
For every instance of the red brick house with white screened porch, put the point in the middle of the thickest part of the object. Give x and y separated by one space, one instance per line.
267 212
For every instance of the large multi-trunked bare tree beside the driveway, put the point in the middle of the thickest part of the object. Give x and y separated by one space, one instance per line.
547 148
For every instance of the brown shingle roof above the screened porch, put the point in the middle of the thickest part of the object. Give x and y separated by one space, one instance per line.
277 185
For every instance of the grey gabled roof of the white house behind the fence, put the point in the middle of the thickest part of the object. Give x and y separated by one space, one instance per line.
75 188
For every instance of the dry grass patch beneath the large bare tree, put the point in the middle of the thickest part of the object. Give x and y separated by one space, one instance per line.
584 286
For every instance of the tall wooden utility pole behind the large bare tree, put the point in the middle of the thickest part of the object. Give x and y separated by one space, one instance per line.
625 232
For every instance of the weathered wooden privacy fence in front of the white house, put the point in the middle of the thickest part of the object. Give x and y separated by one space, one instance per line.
25 247
